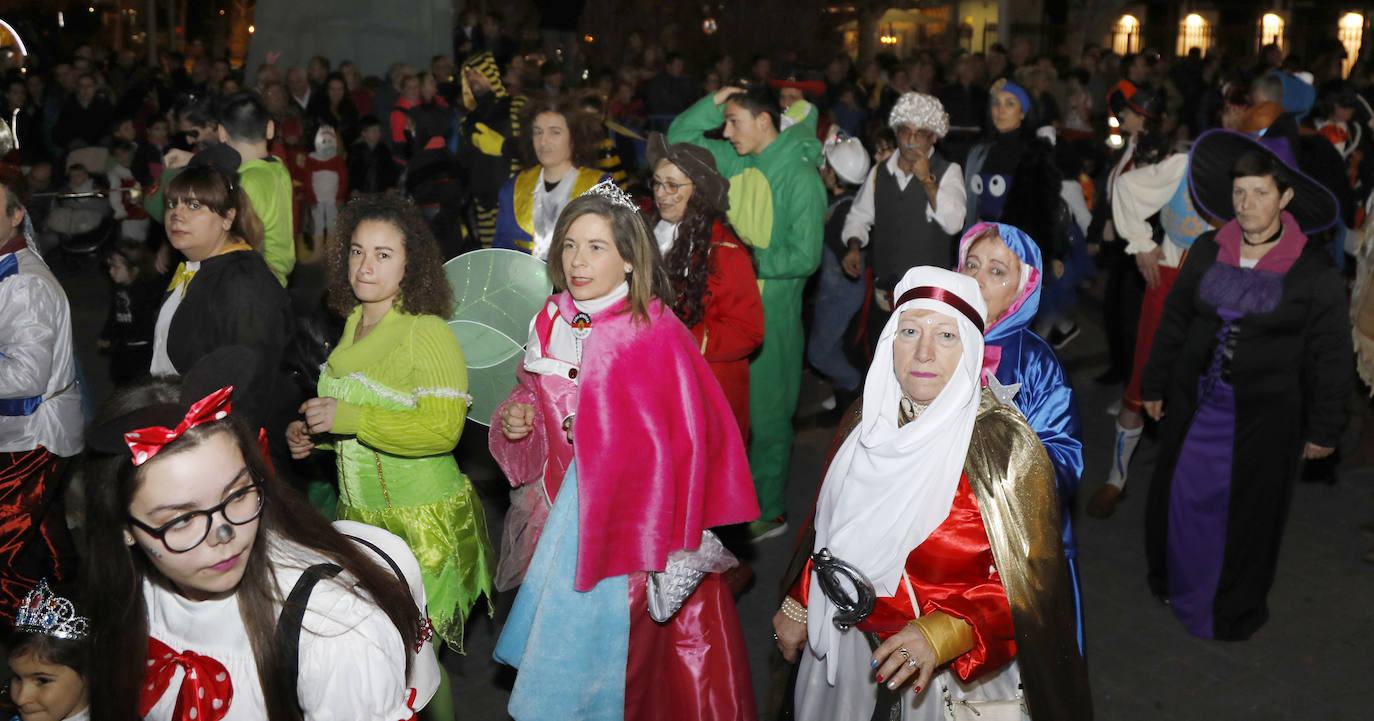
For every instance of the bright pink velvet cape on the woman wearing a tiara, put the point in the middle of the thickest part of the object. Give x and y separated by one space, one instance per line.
659 454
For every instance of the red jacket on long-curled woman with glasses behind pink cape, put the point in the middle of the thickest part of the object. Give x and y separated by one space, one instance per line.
733 326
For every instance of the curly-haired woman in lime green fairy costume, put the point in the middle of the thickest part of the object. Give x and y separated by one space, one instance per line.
392 403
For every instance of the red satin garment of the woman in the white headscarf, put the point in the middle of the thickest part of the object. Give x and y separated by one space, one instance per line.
954 572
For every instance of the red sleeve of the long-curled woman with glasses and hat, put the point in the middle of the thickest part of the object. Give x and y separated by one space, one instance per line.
734 319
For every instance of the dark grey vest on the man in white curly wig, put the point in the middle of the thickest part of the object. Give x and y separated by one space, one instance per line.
902 237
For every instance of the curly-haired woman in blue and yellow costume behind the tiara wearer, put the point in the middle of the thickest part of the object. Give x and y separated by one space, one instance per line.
560 148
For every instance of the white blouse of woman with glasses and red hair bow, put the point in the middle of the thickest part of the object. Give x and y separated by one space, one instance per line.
352 661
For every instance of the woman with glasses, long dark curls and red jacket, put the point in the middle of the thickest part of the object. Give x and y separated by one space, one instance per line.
715 289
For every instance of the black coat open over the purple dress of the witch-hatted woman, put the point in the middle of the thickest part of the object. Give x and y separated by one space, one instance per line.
1292 374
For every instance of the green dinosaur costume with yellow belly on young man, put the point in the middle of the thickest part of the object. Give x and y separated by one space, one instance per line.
778 207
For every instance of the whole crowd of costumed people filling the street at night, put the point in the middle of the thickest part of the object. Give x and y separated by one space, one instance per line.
274 520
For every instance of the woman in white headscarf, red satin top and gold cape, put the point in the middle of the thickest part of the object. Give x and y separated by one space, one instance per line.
945 499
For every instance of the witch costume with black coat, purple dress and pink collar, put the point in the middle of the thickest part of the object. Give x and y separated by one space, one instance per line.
1252 363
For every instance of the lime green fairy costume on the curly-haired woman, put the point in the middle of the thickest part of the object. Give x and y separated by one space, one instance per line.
403 398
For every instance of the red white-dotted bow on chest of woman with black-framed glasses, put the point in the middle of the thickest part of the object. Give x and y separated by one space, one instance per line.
207 690
